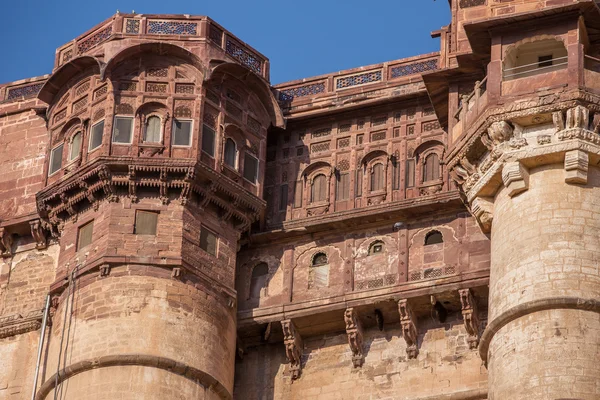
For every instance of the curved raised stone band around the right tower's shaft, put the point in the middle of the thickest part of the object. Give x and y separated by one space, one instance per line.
530 307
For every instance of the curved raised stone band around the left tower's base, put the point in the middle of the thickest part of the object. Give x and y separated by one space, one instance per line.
141 360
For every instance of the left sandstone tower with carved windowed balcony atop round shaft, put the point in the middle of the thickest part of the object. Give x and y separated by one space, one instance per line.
154 172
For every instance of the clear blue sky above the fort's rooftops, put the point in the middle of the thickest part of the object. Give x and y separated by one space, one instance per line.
301 38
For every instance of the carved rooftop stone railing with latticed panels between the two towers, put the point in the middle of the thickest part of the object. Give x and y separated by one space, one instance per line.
357 78
